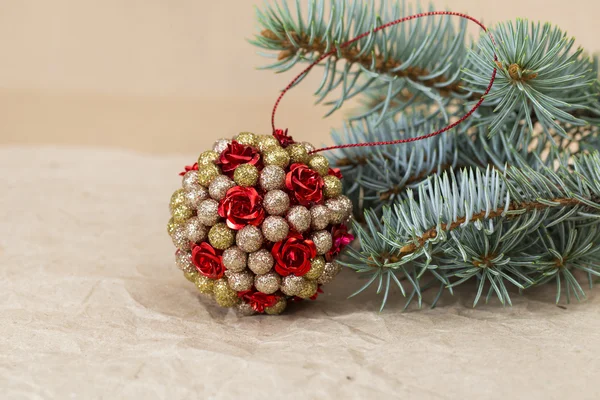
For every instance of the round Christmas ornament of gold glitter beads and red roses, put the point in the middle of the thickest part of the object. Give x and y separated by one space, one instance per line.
253 233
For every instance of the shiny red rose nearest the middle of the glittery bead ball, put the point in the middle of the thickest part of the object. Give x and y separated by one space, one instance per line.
242 206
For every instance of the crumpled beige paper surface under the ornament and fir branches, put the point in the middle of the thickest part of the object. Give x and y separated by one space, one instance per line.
92 306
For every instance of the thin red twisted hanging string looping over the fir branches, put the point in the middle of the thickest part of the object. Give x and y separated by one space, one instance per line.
279 132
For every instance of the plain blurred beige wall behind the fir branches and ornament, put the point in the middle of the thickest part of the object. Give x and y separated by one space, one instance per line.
171 75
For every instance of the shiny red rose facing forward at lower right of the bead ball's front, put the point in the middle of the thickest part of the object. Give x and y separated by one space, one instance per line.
293 254
